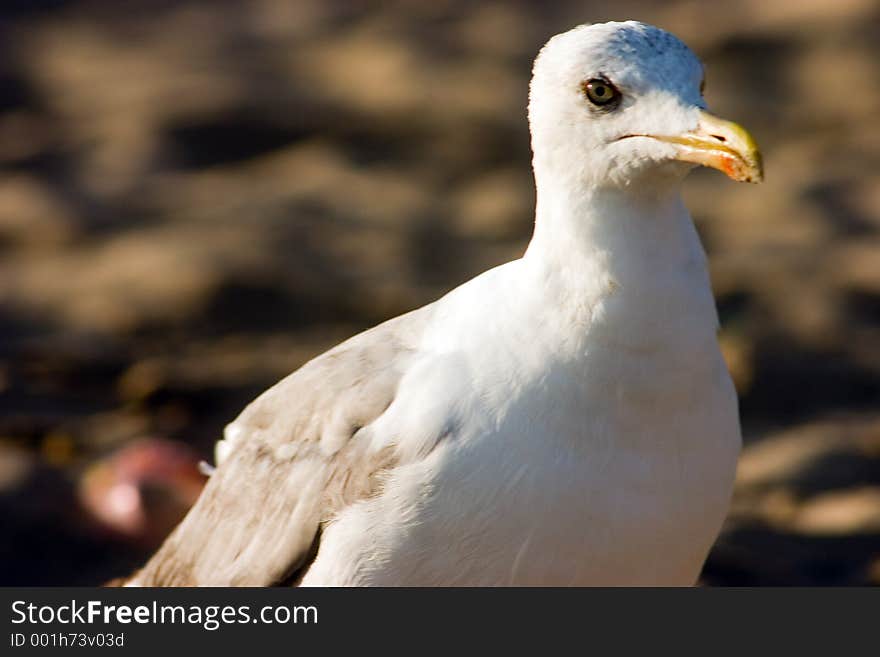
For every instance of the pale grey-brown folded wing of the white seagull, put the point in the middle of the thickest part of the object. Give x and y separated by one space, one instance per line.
297 457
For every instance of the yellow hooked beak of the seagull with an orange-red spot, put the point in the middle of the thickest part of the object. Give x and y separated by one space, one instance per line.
722 145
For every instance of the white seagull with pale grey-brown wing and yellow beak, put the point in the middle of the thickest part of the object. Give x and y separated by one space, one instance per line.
562 419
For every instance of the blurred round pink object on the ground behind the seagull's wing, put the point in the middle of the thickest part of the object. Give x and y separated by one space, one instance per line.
144 489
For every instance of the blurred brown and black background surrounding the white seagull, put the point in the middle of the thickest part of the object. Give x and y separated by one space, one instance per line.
196 197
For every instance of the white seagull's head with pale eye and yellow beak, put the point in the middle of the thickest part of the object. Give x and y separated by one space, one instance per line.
621 104
